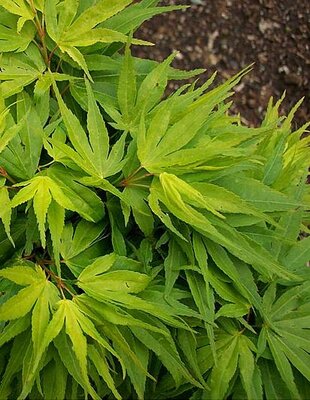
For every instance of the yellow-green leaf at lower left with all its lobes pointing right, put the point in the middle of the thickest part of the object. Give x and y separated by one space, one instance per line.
128 289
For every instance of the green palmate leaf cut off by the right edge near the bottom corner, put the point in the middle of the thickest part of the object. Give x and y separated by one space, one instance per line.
287 333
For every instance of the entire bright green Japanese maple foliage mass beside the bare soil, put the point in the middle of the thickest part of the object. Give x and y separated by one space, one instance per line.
149 245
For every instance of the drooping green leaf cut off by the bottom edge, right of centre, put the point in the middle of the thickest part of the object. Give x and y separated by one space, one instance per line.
236 352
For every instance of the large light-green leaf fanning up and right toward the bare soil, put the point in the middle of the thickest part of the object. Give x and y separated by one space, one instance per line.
163 144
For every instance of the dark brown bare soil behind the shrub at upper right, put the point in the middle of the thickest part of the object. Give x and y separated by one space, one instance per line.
227 35
